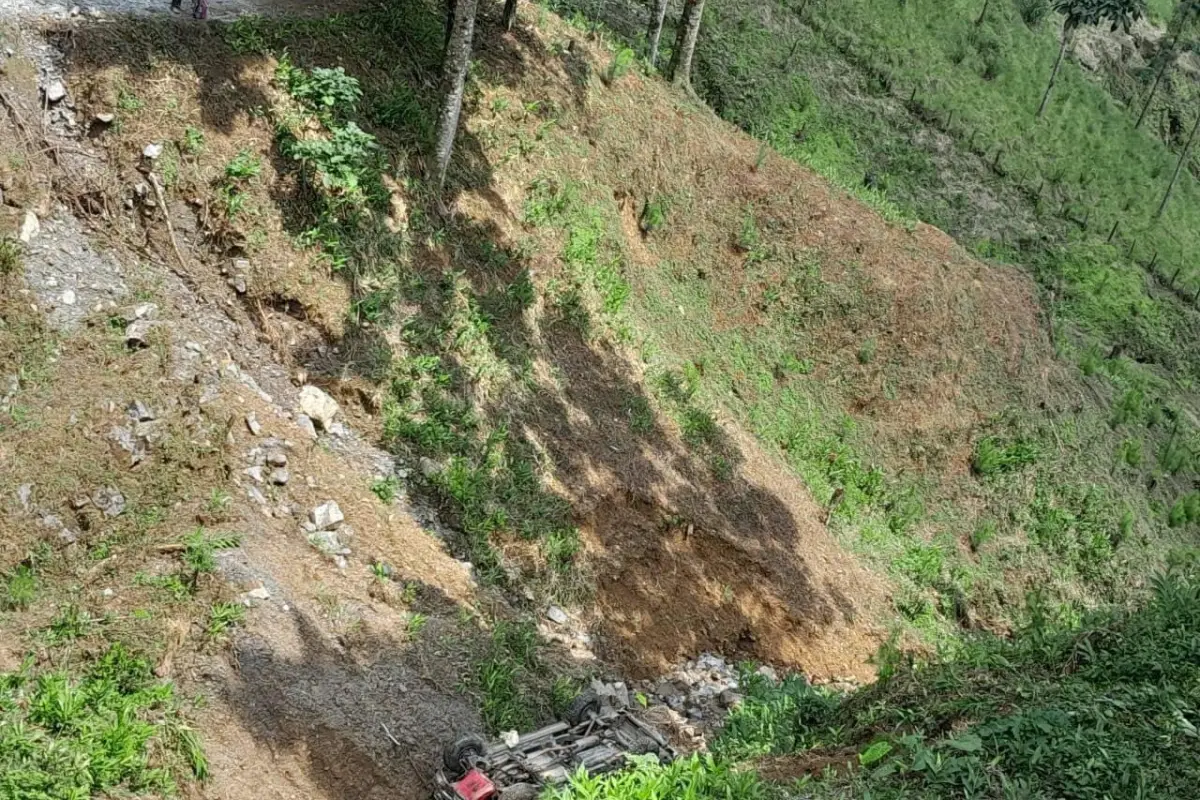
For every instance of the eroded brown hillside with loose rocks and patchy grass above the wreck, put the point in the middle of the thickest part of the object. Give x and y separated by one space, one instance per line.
639 389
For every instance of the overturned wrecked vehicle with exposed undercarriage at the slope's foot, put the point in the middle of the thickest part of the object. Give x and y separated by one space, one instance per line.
591 737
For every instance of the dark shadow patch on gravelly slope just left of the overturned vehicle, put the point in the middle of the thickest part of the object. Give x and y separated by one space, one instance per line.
335 707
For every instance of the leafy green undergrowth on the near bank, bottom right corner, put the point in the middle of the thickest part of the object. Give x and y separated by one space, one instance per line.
1106 709
